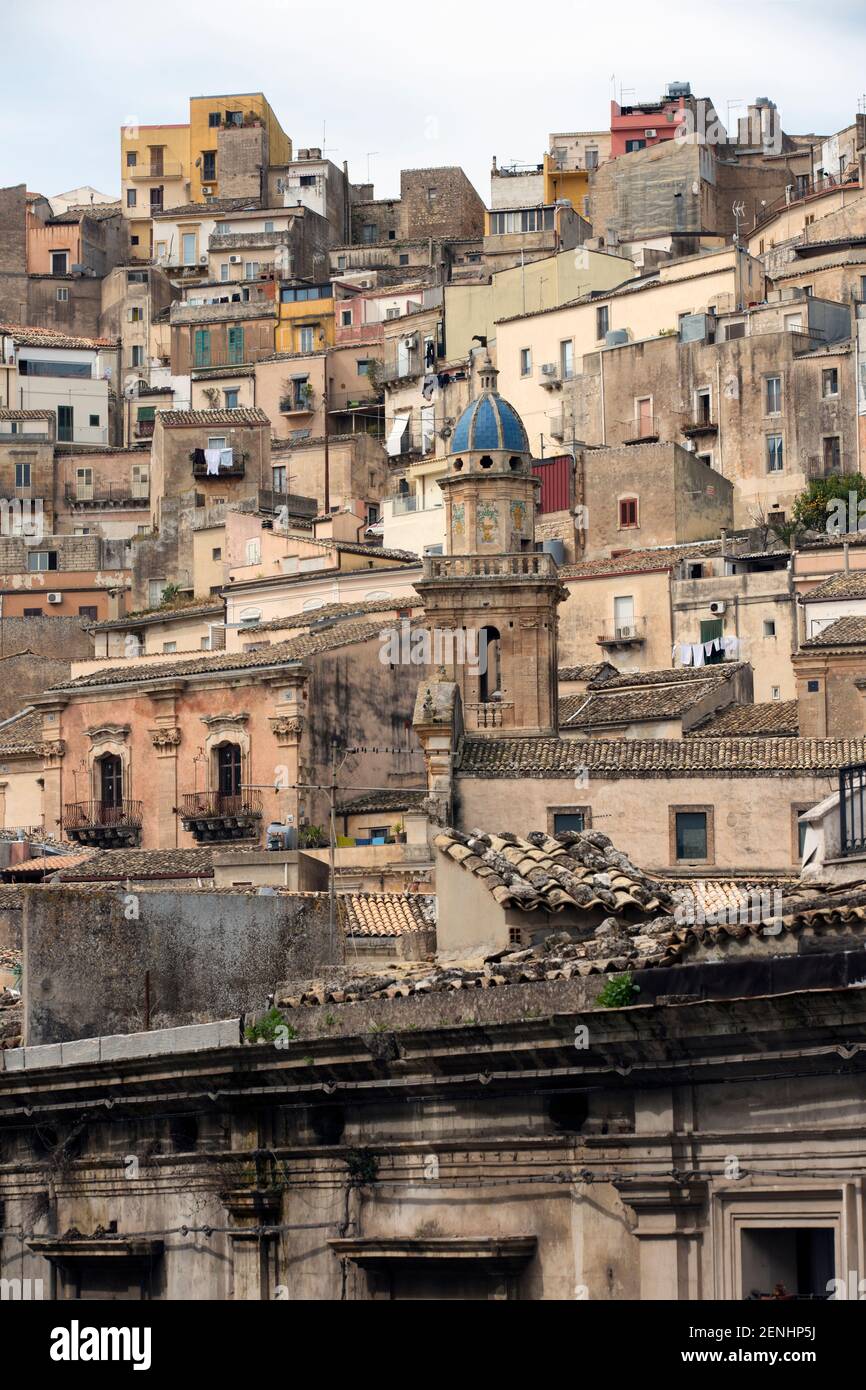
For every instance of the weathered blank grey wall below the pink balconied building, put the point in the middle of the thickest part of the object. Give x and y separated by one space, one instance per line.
91 956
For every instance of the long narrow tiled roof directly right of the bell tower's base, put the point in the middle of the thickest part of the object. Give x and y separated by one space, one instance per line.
657 757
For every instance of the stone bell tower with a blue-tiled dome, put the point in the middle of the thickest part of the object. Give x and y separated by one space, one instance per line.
494 594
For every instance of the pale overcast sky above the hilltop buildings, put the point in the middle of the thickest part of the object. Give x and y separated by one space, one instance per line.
404 85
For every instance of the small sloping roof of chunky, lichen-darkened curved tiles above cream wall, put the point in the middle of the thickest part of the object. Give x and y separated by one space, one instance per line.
541 874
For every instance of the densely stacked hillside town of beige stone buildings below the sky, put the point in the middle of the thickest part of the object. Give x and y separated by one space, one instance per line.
433 717
